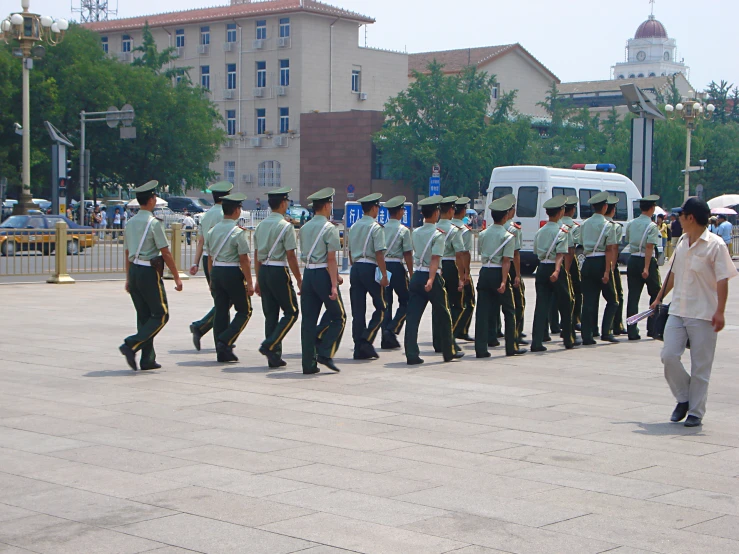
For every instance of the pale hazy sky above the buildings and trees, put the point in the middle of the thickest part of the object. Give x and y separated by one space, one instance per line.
578 40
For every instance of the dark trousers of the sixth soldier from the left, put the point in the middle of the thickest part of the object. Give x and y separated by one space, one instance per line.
362 282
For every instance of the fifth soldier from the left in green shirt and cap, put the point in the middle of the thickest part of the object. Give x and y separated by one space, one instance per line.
320 242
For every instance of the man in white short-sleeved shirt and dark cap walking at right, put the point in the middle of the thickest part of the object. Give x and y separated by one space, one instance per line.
699 276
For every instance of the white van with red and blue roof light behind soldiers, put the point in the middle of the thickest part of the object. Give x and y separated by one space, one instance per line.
534 185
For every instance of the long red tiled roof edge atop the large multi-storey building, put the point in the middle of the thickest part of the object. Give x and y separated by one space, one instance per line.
249 9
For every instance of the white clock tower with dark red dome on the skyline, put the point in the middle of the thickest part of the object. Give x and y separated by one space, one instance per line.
651 53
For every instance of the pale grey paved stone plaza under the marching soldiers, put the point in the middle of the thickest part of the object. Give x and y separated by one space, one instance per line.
561 453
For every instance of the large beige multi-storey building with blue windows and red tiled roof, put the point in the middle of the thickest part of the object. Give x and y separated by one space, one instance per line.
264 64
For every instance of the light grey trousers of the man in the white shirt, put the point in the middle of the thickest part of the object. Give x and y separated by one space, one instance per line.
689 387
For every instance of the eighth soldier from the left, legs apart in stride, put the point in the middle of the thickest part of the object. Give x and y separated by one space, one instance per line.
427 285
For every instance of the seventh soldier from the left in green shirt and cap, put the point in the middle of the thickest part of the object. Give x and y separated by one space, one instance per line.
399 248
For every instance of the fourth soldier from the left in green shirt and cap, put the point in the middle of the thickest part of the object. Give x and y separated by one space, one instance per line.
274 251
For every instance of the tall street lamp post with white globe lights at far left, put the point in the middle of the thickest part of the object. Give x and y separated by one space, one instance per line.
27 29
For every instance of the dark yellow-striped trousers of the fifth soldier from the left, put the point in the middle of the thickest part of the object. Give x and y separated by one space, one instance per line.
314 296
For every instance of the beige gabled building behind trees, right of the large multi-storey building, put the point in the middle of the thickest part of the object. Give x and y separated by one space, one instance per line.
513 66
